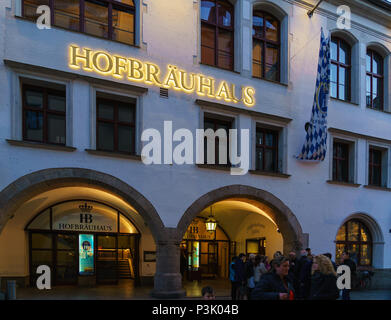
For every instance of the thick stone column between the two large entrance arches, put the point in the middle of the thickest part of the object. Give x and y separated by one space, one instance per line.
168 279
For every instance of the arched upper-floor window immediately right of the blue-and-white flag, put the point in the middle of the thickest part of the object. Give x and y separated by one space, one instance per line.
340 69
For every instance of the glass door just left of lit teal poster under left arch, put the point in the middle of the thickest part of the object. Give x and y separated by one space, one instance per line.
66 259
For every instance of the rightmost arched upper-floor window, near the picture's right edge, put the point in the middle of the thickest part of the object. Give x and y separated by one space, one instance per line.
374 80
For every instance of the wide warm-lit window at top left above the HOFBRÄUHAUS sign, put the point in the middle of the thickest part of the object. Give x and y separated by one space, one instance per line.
110 19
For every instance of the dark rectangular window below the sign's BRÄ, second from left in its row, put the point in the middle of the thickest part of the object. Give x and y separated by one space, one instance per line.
115 125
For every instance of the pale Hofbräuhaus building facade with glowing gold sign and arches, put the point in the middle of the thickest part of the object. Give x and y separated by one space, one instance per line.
80 102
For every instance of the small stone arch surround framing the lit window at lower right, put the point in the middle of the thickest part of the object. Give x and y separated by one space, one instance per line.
377 236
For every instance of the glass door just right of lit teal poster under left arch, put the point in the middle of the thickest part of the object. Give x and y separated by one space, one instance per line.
106 259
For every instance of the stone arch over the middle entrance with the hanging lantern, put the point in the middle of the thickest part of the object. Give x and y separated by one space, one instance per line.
284 218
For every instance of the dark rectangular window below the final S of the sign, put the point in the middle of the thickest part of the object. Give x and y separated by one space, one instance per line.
266 150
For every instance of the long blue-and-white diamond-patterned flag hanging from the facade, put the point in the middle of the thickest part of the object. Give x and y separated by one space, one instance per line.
314 147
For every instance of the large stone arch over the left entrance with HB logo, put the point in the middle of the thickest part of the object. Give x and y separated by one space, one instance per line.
41 181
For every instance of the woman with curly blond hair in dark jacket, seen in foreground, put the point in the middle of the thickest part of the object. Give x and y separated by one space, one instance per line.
323 280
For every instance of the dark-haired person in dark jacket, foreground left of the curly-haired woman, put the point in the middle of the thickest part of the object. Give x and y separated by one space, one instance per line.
275 285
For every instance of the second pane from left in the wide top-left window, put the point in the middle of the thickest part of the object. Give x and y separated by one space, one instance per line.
66 14
